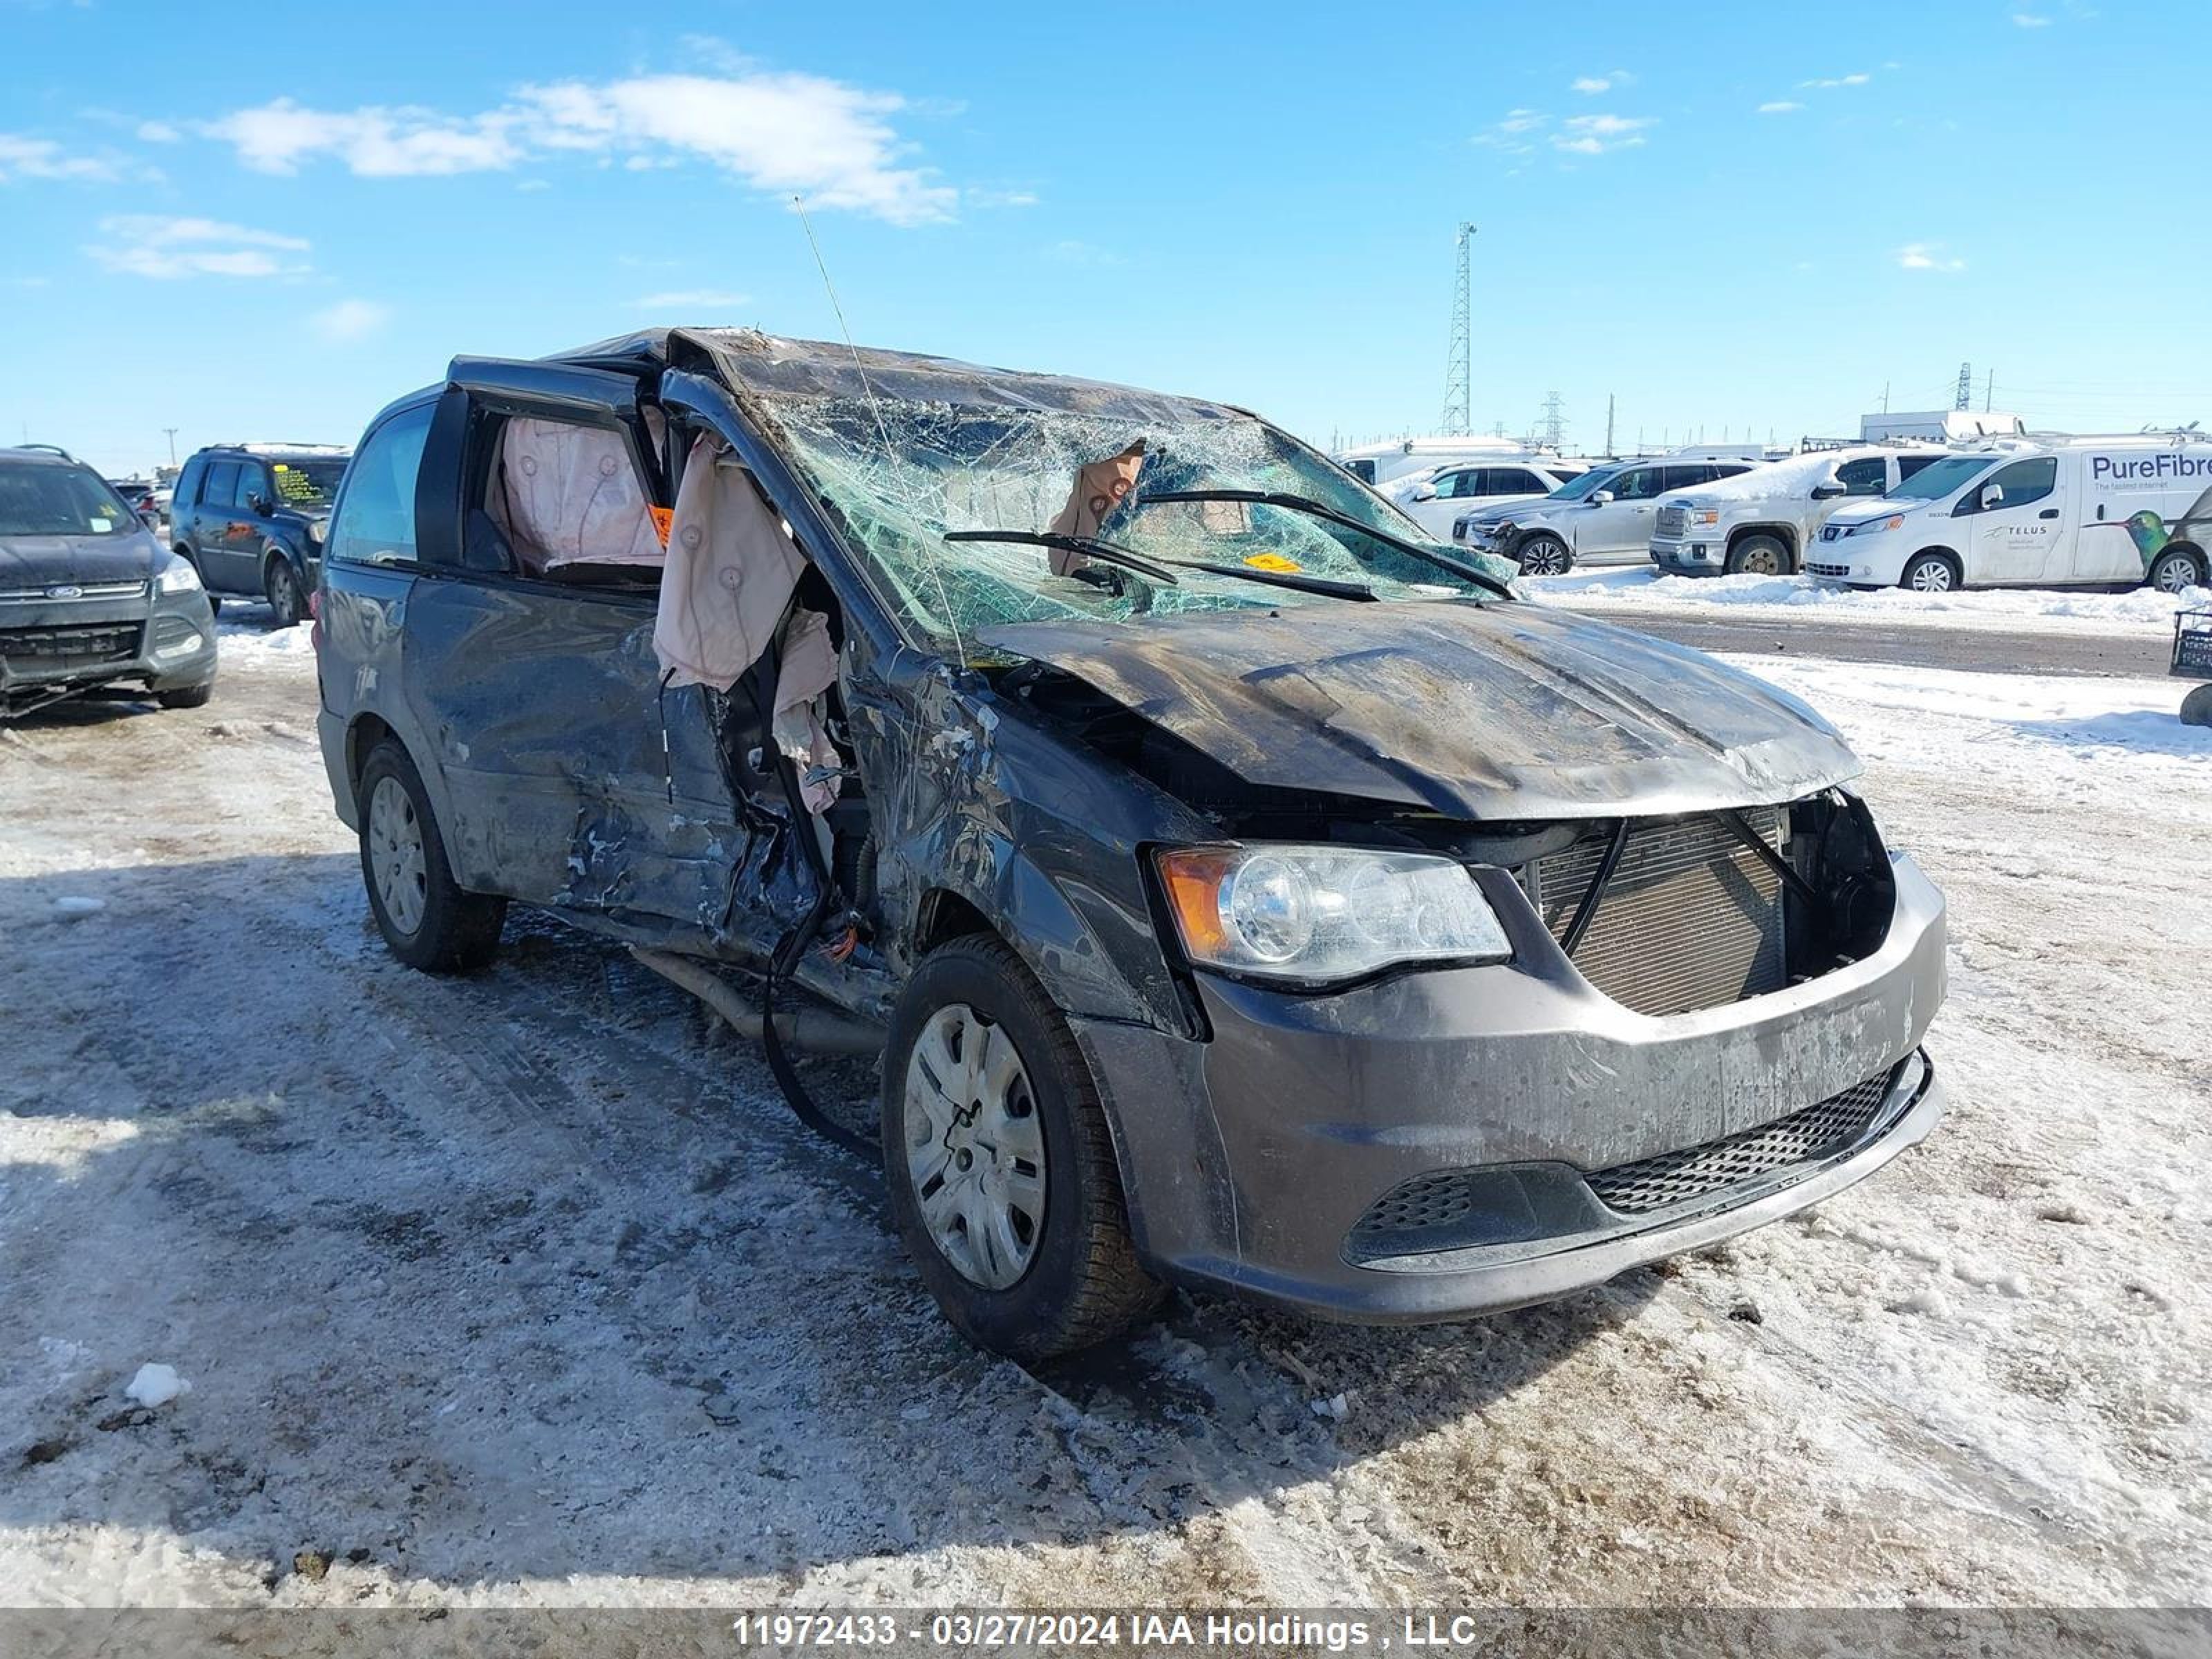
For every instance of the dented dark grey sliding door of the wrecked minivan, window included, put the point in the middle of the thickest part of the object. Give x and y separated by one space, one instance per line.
583 782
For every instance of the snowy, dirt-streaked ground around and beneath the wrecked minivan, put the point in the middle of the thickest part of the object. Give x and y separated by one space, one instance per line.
528 1288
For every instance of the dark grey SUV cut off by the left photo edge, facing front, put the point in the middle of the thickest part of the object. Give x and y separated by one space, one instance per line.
90 601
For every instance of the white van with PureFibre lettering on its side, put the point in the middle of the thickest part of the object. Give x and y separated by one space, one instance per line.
2096 510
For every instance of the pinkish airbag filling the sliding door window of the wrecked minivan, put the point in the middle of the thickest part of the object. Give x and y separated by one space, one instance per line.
572 497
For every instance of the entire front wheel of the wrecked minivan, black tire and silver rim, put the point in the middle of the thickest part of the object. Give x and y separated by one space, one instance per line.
999 1165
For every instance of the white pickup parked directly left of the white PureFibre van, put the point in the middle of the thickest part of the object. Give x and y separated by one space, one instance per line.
1766 519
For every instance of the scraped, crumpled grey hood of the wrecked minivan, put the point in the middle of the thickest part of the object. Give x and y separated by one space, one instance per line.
1499 711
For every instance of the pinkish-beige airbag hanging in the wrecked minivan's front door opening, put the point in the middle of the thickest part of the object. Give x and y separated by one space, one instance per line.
731 574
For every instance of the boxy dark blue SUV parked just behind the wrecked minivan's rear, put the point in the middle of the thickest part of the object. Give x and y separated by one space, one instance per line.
251 521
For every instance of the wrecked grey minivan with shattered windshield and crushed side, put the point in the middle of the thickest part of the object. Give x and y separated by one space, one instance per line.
1242 890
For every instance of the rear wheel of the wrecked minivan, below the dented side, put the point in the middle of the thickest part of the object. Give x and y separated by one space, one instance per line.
428 921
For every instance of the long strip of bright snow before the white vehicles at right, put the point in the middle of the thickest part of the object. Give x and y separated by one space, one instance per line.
1797 594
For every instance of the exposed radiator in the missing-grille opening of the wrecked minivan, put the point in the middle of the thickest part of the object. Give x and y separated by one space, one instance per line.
1693 919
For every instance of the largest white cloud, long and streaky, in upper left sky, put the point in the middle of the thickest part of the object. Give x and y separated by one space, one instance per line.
782 134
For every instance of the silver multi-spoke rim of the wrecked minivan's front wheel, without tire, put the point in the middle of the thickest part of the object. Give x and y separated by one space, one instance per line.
974 1147
